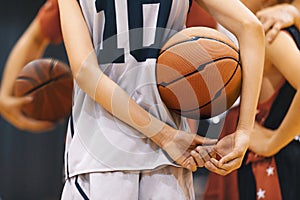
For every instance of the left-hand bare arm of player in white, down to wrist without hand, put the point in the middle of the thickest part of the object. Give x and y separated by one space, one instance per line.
97 85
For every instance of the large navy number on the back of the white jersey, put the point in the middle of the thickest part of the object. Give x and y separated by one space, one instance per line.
110 53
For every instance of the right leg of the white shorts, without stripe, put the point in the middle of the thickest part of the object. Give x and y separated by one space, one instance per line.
167 183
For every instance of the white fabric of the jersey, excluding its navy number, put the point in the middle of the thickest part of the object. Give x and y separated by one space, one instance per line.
101 142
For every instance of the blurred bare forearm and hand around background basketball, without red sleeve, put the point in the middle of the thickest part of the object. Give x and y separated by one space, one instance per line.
30 46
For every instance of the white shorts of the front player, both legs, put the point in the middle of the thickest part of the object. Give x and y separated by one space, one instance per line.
167 183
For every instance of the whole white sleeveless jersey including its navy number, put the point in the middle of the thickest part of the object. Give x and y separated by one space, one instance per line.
126 35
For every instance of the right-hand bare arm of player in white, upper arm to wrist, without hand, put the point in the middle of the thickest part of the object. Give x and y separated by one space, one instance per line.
250 34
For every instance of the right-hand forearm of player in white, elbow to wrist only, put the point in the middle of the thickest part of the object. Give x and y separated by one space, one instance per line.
252 57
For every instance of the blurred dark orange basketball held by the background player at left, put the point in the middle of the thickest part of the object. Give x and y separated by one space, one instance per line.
50 83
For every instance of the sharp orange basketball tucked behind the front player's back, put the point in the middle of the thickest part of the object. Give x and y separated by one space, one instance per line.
198 73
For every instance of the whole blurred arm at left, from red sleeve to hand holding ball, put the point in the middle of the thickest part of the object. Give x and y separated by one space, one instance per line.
31 45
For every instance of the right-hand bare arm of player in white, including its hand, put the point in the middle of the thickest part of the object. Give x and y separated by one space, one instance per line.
235 17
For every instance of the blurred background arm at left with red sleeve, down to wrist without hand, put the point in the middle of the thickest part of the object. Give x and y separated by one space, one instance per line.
32 43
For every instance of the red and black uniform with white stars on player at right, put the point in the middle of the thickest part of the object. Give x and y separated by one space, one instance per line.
275 177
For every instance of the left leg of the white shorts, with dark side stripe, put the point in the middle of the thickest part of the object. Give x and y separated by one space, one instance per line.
107 185
